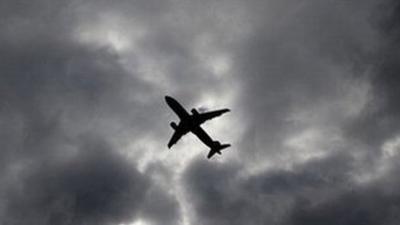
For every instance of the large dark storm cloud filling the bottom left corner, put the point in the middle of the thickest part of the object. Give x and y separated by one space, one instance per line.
95 186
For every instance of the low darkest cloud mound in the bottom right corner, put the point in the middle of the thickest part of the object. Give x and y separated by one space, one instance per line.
366 206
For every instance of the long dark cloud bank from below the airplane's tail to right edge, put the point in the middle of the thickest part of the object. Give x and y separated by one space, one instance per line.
317 192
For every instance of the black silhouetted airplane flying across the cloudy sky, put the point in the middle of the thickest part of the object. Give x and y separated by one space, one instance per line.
191 123
